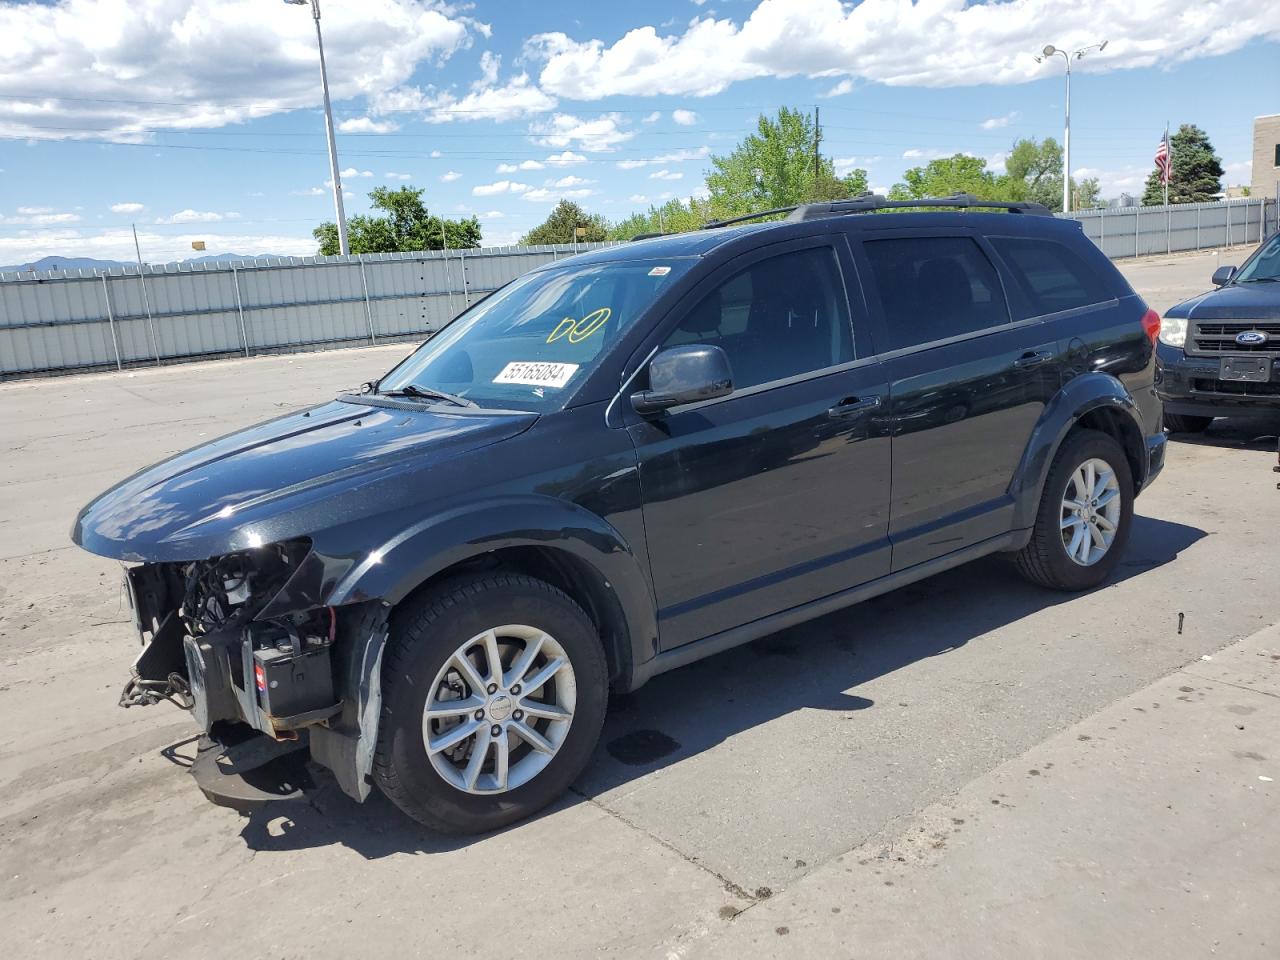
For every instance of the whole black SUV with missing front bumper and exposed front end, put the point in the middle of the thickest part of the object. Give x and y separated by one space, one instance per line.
624 463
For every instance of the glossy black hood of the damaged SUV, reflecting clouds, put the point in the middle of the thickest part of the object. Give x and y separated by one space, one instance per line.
250 487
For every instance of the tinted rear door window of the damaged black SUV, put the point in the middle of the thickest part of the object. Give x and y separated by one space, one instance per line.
935 287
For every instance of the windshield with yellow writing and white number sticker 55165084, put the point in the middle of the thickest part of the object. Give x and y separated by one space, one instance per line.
531 345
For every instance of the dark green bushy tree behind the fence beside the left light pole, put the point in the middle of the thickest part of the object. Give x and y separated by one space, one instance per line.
406 227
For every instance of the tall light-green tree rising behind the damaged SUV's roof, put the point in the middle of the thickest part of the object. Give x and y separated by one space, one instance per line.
775 167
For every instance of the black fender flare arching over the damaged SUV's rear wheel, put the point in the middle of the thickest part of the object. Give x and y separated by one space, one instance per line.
1078 397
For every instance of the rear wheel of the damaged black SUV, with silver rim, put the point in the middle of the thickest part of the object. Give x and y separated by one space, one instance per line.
1085 515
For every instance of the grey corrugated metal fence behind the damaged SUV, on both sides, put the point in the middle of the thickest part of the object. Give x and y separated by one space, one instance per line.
88 319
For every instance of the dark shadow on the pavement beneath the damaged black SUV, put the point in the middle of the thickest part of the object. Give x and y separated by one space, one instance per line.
813 666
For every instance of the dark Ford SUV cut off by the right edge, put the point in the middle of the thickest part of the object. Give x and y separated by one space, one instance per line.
1220 353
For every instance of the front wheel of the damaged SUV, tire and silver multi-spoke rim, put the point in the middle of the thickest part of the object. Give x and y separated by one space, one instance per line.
495 692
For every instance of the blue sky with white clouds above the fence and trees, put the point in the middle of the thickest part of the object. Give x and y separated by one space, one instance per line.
200 120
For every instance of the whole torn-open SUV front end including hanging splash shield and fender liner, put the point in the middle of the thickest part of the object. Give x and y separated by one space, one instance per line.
269 673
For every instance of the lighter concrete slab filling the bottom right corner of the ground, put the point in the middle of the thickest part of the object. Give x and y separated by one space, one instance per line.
1148 830
